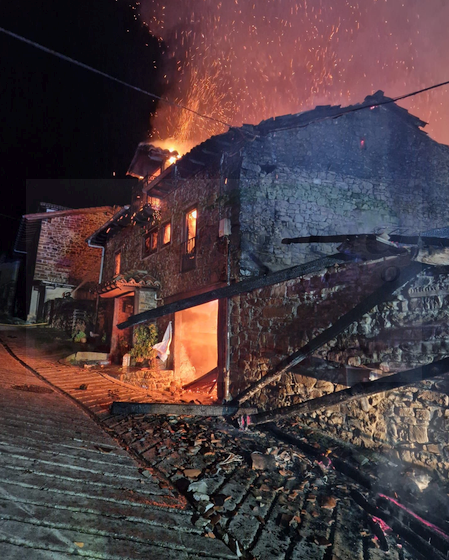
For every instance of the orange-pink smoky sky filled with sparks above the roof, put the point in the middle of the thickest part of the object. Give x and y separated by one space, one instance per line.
242 61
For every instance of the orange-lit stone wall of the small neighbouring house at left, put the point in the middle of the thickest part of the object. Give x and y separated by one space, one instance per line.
63 256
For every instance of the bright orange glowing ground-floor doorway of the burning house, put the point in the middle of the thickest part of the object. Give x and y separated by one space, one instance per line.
195 343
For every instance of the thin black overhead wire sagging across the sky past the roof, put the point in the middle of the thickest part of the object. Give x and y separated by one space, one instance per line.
183 107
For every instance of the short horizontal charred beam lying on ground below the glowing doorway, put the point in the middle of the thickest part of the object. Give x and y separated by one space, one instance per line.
126 408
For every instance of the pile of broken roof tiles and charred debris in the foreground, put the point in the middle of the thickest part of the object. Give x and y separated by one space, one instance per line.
264 498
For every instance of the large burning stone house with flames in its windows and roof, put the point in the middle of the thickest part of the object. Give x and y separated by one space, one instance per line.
216 219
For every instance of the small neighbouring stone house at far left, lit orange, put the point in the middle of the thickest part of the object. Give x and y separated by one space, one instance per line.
57 261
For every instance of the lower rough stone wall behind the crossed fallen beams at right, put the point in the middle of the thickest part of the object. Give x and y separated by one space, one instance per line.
410 423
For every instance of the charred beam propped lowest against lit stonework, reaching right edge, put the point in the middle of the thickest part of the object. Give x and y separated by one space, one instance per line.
388 383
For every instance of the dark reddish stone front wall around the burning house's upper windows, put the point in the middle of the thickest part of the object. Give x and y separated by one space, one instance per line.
203 192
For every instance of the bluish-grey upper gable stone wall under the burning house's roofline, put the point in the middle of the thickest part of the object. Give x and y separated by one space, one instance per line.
362 172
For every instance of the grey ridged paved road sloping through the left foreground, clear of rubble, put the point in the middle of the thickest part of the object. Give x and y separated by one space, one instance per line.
69 490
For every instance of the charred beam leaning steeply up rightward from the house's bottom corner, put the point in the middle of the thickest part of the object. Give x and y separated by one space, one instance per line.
377 297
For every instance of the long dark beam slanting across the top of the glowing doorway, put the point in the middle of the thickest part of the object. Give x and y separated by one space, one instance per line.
234 289
